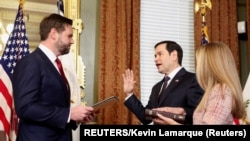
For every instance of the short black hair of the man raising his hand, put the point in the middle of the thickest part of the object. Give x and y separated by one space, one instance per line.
171 46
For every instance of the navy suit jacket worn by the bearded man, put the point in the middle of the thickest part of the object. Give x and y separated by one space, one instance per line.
42 101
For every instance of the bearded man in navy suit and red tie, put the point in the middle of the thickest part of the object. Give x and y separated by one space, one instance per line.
41 94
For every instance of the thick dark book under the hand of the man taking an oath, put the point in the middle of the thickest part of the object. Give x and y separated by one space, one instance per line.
153 114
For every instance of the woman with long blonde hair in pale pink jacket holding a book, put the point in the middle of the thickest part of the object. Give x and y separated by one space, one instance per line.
217 74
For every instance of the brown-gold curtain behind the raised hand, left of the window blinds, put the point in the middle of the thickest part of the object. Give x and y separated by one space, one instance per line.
118 50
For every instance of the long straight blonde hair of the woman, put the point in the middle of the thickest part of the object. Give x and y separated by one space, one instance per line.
216 65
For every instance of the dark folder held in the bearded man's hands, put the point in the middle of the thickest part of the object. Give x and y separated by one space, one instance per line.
104 103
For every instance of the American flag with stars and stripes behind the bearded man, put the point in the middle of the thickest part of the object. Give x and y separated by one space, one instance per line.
16 48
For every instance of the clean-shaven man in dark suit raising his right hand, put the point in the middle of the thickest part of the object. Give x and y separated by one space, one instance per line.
181 92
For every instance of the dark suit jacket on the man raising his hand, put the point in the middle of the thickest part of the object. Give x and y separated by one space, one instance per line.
183 91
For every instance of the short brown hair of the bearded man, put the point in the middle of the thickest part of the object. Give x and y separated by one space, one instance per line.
53 21
